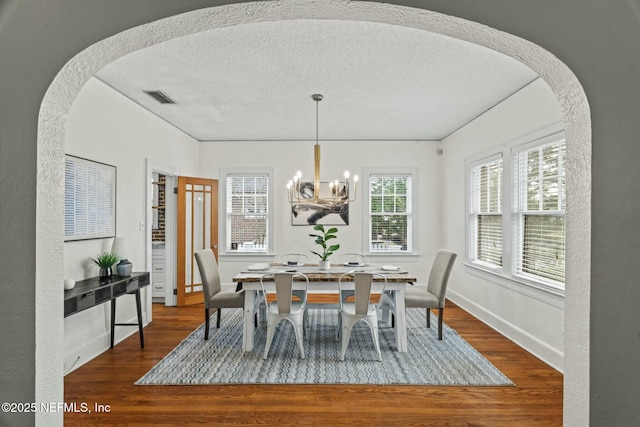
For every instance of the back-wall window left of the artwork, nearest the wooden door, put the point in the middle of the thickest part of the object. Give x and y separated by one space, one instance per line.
247 213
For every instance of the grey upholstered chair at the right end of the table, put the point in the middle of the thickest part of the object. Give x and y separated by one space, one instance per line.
434 294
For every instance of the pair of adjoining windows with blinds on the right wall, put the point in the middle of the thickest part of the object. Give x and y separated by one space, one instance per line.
516 219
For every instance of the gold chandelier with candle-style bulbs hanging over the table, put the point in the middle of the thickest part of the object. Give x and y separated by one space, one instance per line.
335 192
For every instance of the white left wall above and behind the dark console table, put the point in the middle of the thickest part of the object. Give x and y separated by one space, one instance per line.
107 127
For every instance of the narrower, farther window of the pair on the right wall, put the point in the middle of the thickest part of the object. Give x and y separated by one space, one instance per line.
485 213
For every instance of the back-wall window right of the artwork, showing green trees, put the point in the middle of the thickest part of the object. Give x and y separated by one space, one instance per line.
390 213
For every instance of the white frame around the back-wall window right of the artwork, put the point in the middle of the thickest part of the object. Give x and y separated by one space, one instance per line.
412 226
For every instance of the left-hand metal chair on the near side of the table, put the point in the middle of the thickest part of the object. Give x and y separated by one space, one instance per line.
285 307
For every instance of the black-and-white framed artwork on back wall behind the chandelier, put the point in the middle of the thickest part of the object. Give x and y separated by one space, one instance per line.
331 209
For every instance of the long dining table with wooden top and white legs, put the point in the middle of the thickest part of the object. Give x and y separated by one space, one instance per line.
326 281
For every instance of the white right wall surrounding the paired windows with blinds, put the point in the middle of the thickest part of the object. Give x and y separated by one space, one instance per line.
532 318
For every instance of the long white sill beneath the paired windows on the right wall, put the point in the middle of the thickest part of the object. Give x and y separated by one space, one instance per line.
539 291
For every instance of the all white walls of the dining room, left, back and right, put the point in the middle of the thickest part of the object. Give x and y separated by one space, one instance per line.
107 127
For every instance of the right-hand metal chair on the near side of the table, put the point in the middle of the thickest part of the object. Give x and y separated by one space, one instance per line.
361 309
